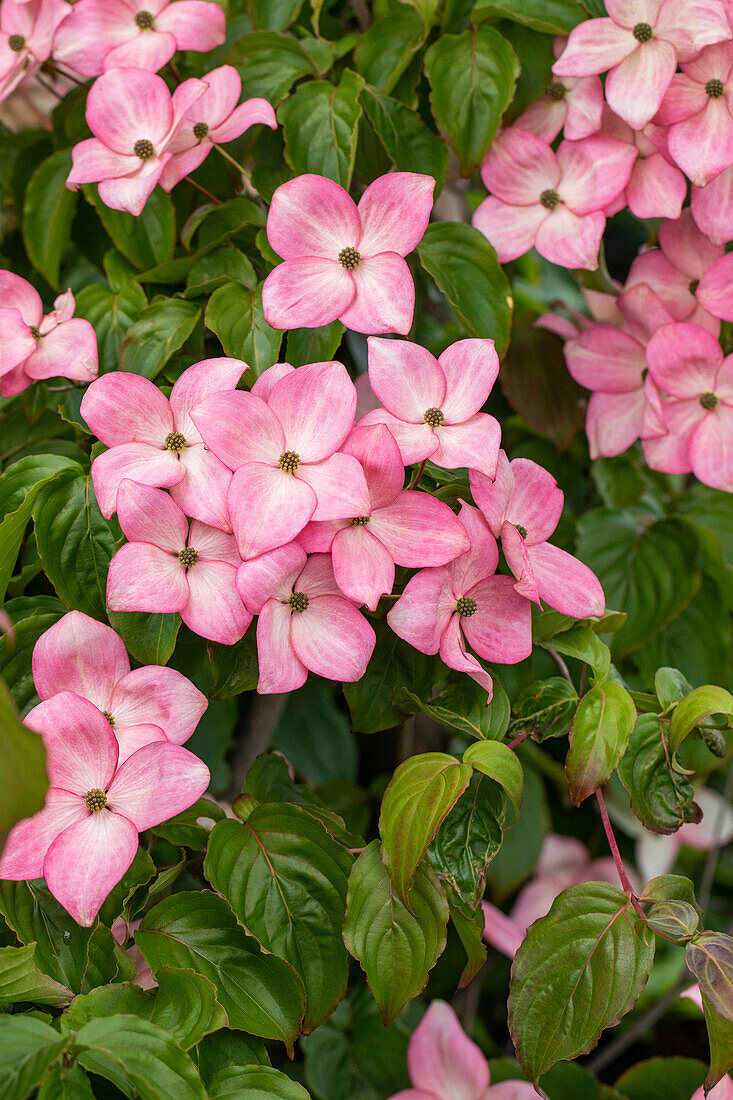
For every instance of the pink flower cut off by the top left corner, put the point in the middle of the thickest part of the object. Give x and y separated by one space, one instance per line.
27 37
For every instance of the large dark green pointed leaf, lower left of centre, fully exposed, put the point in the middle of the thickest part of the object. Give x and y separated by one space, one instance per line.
287 882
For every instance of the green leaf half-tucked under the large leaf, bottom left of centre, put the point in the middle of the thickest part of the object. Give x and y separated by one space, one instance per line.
260 994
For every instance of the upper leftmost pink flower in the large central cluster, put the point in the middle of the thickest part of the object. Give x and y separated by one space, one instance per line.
156 443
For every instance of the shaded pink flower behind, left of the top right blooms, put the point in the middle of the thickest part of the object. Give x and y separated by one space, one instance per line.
574 106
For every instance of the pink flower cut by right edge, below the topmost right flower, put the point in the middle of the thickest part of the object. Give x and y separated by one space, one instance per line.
697 108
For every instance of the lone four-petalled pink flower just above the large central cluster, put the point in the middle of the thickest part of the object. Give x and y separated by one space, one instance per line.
342 260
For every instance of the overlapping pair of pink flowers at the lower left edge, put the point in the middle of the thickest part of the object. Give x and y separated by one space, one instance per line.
116 763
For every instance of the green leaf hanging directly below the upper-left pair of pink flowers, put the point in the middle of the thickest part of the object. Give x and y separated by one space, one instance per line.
147 239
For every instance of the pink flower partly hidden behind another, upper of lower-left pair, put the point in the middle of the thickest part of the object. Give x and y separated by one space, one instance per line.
149 705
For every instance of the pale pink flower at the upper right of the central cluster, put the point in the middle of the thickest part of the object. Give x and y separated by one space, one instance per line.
432 405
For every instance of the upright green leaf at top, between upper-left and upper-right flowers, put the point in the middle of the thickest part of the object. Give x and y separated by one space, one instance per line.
473 78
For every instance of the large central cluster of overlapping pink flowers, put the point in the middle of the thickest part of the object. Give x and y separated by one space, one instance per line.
282 508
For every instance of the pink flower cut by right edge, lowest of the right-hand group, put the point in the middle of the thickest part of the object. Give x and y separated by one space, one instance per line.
687 364
